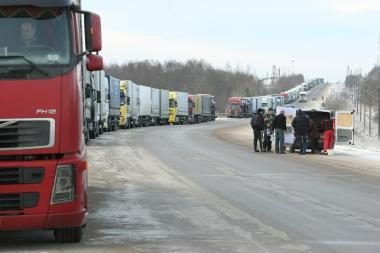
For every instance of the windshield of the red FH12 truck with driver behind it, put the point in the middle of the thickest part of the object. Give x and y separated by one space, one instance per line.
40 35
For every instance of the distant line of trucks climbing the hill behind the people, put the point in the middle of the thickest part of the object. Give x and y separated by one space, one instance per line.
244 107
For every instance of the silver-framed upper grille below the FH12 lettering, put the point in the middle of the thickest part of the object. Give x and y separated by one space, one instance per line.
25 134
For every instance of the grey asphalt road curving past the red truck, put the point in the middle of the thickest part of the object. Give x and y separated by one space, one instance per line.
181 189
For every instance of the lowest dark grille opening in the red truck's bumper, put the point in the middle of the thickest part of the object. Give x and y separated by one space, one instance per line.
18 201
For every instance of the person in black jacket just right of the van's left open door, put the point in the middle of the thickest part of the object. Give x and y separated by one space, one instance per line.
301 128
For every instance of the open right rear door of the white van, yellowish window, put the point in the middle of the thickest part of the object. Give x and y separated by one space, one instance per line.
344 127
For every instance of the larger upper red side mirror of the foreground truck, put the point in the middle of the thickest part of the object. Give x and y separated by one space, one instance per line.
93 32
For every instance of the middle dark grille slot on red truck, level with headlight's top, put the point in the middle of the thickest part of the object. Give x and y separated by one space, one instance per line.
10 176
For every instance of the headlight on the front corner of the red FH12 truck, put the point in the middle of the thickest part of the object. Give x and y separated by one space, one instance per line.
64 184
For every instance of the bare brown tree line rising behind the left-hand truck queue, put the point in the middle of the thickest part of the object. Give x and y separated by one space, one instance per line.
199 77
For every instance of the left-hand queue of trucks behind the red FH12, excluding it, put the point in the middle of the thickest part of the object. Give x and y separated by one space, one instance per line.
112 103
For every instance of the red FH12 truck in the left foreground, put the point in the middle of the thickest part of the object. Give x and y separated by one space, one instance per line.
49 47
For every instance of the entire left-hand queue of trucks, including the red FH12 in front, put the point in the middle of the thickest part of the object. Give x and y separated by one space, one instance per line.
54 96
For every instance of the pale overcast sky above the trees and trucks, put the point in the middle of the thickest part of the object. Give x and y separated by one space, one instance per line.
322 37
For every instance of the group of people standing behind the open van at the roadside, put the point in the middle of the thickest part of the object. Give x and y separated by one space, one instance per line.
264 125
